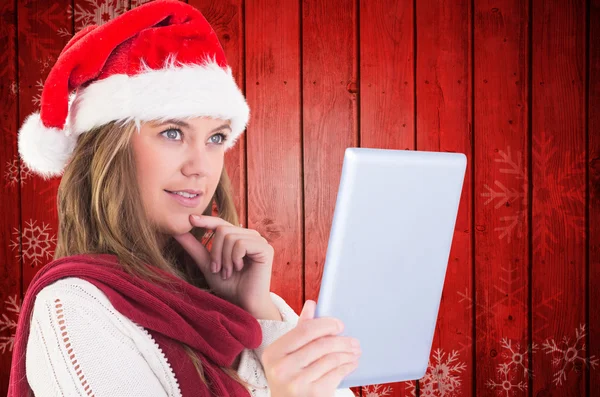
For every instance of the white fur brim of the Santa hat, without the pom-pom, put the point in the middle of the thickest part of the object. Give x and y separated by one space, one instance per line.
181 91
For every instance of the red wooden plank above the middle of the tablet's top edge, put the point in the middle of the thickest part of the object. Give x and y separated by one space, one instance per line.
387 96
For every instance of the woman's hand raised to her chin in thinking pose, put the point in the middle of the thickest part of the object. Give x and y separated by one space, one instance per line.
238 267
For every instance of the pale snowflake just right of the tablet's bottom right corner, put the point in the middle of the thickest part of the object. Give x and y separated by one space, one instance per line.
442 378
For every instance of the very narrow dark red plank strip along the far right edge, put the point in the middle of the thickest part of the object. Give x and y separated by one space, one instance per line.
594 198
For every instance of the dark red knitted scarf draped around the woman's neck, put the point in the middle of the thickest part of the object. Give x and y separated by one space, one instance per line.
218 331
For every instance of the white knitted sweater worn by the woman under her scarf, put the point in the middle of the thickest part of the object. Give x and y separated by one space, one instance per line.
106 354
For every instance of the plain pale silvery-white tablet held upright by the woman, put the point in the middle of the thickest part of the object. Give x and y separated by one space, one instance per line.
386 260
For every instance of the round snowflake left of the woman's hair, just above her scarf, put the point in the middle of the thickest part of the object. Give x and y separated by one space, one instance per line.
35 242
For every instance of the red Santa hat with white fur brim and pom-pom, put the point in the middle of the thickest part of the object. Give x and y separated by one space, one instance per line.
159 61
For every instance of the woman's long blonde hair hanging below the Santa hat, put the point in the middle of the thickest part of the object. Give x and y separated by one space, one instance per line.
100 212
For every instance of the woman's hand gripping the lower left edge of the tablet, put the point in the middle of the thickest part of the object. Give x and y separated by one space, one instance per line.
310 360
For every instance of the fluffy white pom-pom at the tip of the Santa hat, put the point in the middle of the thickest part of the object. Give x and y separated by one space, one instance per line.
44 150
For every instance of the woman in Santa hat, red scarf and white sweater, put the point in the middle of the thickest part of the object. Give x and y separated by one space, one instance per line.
134 303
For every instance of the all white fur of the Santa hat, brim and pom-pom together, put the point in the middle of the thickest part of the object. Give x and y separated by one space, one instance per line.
175 91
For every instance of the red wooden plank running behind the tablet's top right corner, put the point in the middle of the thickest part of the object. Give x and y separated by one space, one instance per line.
443 123
